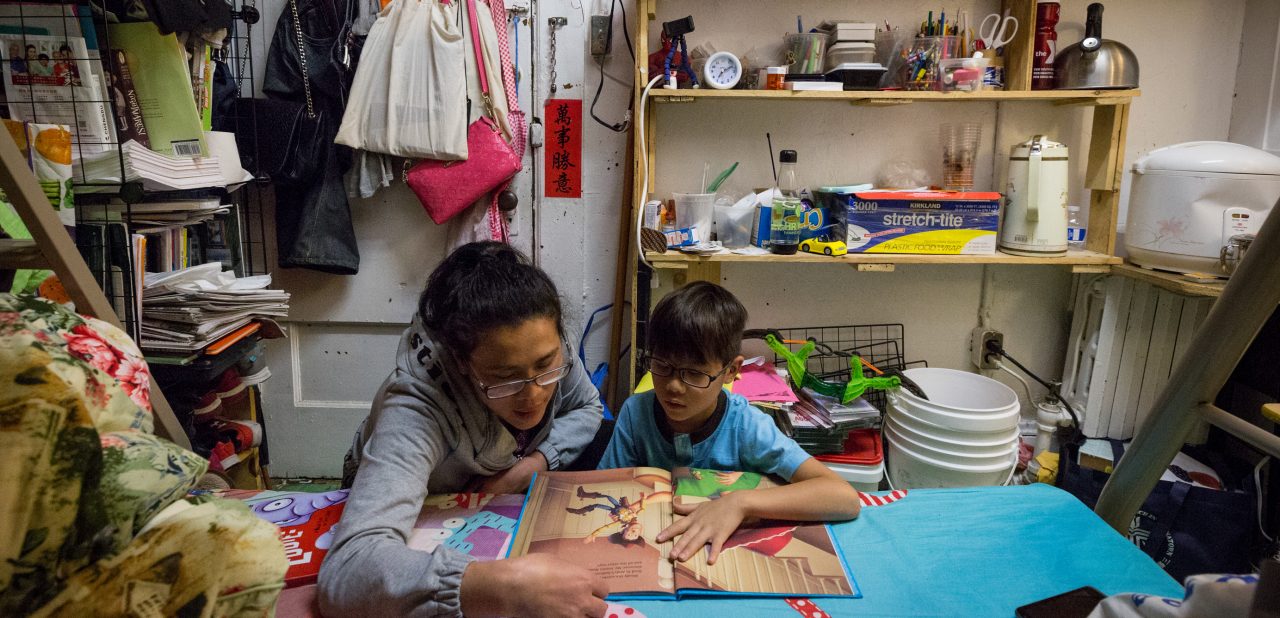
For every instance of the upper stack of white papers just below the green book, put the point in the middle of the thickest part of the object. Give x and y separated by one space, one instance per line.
161 172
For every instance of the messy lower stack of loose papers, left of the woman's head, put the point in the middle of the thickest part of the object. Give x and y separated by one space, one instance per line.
189 310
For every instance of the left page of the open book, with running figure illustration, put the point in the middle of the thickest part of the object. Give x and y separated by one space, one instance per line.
606 521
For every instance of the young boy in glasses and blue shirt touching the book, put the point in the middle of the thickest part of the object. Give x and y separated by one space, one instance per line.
688 419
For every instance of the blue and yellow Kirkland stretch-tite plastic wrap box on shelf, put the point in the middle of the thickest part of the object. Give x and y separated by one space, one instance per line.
917 222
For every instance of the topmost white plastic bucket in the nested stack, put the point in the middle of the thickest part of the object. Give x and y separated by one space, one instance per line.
959 401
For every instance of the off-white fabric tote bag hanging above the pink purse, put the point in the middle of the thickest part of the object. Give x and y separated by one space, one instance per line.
409 95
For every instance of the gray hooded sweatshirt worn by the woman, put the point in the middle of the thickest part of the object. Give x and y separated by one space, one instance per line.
429 433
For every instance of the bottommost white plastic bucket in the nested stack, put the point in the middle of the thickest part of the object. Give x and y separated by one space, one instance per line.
909 469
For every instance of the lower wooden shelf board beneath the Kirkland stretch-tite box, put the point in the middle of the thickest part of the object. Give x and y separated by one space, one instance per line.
1078 260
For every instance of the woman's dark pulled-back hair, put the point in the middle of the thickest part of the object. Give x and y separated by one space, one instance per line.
483 286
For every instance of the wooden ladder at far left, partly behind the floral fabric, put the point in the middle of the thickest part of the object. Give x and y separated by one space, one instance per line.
54 250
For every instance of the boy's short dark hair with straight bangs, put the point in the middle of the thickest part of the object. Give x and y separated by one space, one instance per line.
701 323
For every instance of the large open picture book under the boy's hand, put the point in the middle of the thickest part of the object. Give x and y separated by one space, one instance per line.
607 520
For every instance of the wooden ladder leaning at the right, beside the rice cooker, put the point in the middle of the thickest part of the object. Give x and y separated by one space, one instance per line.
1249 300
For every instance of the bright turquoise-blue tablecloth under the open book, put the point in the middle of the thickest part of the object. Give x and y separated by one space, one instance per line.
964 552
